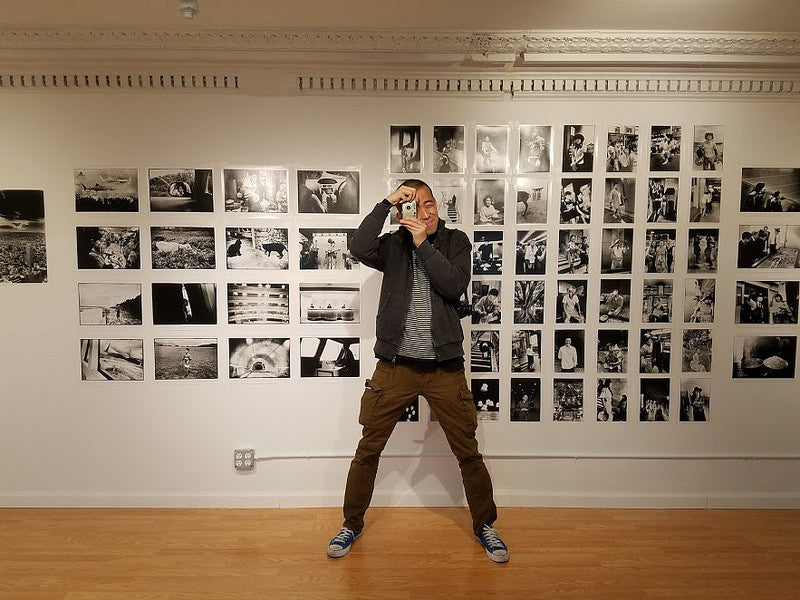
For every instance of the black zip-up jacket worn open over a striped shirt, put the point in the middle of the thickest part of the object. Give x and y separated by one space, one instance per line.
447 256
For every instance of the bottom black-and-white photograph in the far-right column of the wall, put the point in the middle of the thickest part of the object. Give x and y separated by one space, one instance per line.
764 356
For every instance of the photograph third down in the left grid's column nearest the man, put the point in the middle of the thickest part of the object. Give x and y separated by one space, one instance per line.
330 303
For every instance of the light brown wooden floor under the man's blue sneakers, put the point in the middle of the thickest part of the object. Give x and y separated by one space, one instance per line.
405 553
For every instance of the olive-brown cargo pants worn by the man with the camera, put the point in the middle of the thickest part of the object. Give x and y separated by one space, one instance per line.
390 390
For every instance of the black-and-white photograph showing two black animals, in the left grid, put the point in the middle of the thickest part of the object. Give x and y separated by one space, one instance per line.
257 248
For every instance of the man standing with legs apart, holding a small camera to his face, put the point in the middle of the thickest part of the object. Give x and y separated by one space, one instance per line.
426 269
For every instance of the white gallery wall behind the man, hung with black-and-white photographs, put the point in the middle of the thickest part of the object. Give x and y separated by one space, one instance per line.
67 442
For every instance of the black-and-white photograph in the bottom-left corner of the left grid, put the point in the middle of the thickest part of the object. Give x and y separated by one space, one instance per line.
112 360
